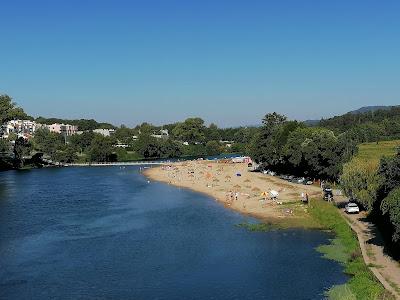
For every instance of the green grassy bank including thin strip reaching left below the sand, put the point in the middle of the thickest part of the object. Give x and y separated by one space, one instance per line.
344 248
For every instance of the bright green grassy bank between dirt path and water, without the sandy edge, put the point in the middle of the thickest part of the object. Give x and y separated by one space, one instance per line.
345 249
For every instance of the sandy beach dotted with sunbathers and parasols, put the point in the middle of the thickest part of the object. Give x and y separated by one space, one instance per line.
237 188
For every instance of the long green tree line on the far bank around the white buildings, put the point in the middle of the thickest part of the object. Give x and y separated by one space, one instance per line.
188 138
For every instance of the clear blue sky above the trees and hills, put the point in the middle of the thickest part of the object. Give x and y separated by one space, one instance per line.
227 61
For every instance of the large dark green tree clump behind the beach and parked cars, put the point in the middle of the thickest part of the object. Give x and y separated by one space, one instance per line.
289 145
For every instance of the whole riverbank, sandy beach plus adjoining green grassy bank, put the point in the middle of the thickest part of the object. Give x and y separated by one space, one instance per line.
222 180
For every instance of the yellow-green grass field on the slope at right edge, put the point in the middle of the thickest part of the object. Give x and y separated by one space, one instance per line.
374 151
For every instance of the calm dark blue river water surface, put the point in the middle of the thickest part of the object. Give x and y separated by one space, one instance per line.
105 233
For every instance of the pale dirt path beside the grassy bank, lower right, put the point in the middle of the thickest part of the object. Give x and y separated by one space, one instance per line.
383 266
